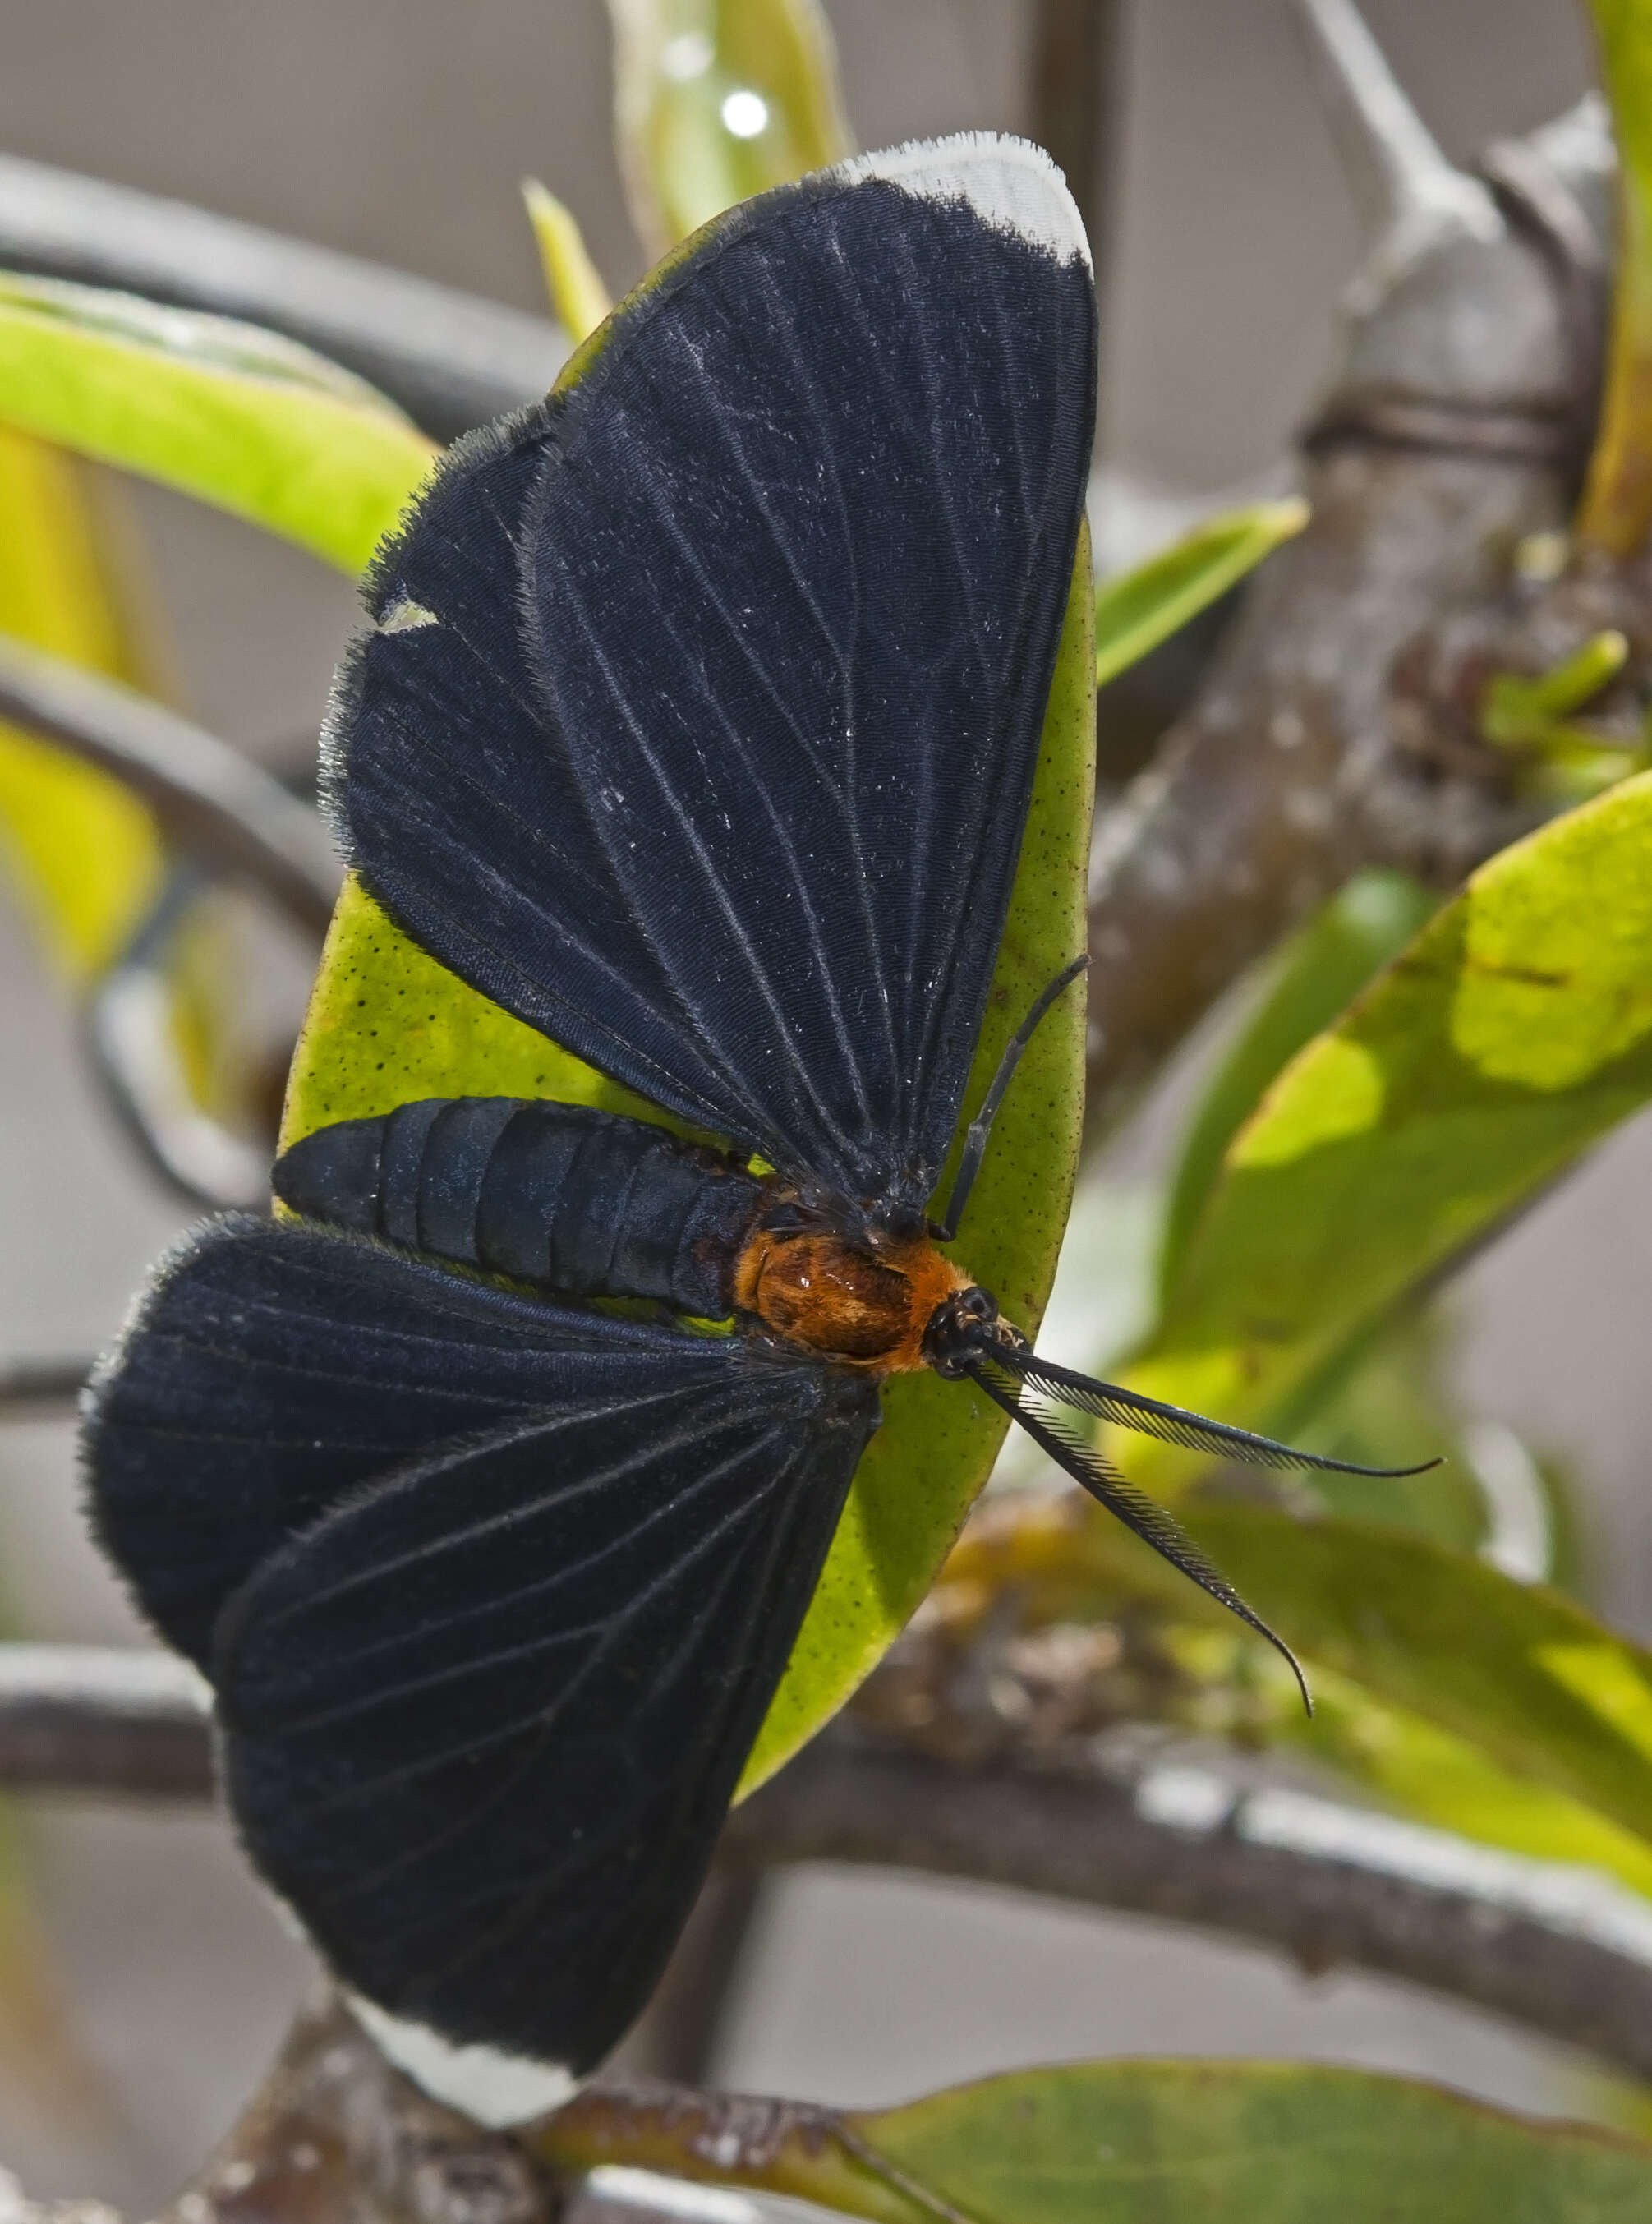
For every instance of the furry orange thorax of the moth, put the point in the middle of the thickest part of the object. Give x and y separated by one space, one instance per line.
862 1307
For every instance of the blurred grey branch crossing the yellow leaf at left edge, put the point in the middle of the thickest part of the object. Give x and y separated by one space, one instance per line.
210 800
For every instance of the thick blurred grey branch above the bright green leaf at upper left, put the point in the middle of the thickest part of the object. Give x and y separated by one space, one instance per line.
450 359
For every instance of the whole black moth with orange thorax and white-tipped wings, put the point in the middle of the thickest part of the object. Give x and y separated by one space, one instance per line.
695 724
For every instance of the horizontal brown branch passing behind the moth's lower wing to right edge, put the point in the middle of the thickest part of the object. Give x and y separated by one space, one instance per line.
1558 1949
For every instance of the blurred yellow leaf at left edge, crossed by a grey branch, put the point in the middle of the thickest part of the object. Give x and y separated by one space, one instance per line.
81 853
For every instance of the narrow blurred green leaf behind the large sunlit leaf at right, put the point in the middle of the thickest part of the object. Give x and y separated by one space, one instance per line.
1320 971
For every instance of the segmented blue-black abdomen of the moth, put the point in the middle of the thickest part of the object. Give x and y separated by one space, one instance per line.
561 1195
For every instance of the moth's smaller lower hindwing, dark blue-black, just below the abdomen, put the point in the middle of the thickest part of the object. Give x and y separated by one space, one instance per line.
270 1371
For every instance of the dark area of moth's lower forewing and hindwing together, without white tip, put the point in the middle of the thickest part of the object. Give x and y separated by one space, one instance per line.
495 1598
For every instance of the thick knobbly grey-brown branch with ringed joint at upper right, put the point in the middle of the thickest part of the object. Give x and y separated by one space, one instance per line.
1453 433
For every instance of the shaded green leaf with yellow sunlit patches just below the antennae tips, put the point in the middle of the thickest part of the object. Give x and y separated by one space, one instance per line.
1422 1654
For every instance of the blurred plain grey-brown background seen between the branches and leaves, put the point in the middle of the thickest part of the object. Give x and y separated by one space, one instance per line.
399 130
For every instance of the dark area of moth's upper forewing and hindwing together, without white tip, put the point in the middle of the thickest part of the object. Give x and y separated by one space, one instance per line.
735 811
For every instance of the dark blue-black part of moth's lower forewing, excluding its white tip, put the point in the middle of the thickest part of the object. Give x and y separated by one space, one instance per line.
484 1725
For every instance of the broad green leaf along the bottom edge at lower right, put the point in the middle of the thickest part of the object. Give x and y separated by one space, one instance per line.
1246 2143
